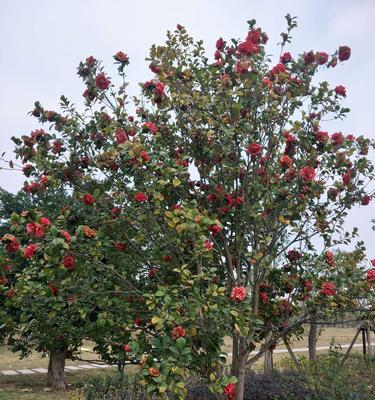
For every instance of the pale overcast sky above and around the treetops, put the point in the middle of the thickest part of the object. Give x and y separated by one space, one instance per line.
43 41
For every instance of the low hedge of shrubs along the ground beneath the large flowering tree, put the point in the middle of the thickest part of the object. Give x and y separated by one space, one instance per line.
324 379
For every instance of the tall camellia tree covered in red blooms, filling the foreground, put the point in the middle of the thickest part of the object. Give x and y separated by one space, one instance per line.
213 210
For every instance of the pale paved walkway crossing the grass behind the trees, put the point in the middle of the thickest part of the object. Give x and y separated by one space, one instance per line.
80 367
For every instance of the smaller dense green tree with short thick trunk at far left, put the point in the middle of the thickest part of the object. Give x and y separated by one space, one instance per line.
40 311
